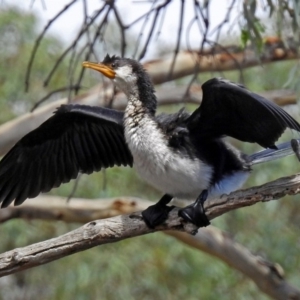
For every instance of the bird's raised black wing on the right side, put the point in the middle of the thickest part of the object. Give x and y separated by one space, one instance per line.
230 109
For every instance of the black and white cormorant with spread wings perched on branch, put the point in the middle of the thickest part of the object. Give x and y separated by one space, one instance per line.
183 155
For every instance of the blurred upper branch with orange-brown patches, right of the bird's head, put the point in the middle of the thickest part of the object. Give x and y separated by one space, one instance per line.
220 58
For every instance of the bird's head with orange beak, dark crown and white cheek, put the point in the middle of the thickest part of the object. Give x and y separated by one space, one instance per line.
124 72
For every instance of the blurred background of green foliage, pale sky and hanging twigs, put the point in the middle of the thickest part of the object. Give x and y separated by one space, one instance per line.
42 45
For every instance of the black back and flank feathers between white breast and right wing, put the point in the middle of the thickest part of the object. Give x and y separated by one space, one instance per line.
216 152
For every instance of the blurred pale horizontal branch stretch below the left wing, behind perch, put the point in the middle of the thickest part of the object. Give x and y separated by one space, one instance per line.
76 210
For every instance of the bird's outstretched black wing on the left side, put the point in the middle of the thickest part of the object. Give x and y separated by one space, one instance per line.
77 138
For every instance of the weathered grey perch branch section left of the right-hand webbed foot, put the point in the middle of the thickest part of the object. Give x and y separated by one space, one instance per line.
92 234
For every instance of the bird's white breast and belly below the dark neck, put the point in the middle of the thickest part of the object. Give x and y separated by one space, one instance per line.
163 168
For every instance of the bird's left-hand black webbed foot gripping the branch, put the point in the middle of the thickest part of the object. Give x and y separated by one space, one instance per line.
156 214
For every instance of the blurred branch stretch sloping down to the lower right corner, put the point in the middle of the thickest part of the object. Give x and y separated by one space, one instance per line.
268 276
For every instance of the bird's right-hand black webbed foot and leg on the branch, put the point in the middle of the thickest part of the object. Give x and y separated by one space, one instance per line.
195 213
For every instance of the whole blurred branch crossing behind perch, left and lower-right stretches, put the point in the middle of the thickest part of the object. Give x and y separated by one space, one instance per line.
210 240
